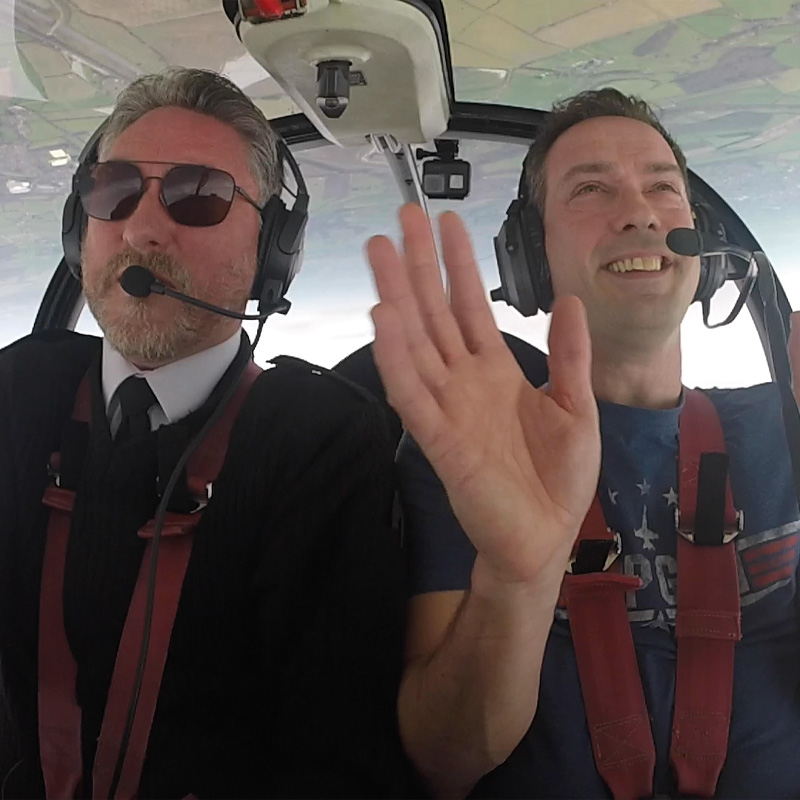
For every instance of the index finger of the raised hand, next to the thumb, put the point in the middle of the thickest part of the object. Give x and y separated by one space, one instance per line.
467 293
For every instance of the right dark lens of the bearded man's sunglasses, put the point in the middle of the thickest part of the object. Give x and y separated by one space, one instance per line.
197 195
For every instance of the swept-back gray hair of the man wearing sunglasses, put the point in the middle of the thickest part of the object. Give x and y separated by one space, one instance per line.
207 93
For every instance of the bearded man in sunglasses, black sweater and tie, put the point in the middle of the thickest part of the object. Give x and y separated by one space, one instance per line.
277 672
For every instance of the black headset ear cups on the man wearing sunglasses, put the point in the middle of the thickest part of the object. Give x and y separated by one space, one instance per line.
280 242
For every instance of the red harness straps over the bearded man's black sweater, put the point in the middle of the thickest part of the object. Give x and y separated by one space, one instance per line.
59 713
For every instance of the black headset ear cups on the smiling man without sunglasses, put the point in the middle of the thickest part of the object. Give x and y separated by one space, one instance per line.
525 280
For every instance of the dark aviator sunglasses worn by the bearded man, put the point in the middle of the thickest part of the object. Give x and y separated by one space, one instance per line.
193 194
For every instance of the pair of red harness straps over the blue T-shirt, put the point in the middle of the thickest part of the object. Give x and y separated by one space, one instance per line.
707 627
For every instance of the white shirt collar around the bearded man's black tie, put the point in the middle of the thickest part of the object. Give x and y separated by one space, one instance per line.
180 386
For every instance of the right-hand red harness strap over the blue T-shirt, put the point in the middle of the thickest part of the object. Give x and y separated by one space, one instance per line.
708 621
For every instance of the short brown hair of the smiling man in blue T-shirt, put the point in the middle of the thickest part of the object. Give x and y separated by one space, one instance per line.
564 114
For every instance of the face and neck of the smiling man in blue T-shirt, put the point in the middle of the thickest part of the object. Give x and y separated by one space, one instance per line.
606 222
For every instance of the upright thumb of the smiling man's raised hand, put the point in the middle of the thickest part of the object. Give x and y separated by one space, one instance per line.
570 358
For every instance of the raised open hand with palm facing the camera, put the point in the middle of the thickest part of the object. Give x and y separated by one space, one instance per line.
520 464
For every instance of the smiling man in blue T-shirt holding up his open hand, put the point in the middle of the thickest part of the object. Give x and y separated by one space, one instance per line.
565 639
